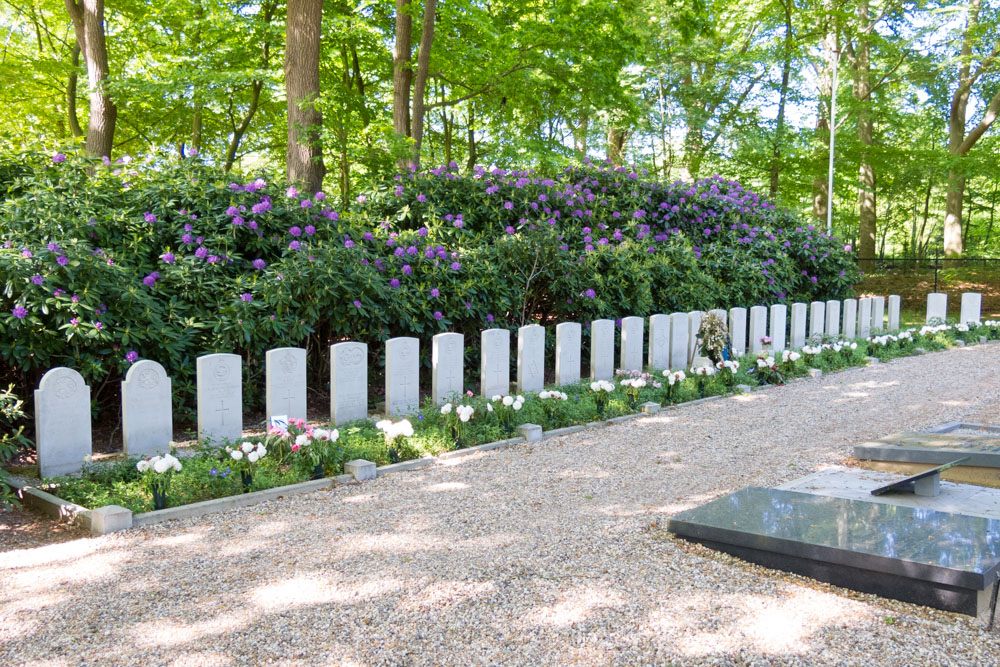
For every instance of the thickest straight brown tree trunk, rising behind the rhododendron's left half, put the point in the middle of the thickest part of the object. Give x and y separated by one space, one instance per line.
302 42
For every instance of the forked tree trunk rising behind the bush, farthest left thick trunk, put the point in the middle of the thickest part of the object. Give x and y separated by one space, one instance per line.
88 26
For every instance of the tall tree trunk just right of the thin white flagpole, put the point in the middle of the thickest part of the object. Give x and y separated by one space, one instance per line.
867 216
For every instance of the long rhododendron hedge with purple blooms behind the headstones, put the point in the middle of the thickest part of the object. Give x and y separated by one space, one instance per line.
171 261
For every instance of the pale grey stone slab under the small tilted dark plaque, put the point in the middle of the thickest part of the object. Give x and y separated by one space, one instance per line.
855 484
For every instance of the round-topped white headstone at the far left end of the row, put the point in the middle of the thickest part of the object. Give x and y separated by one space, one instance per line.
62 422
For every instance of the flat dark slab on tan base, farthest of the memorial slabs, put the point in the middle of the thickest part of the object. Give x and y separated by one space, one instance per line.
936 448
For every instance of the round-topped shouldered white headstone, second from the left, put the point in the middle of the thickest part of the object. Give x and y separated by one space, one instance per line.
147 413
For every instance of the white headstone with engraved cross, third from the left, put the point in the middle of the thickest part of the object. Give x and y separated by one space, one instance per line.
220 398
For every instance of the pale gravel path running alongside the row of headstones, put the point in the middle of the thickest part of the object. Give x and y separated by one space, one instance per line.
540 554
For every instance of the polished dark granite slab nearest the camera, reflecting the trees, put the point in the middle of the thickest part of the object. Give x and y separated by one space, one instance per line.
942 560
